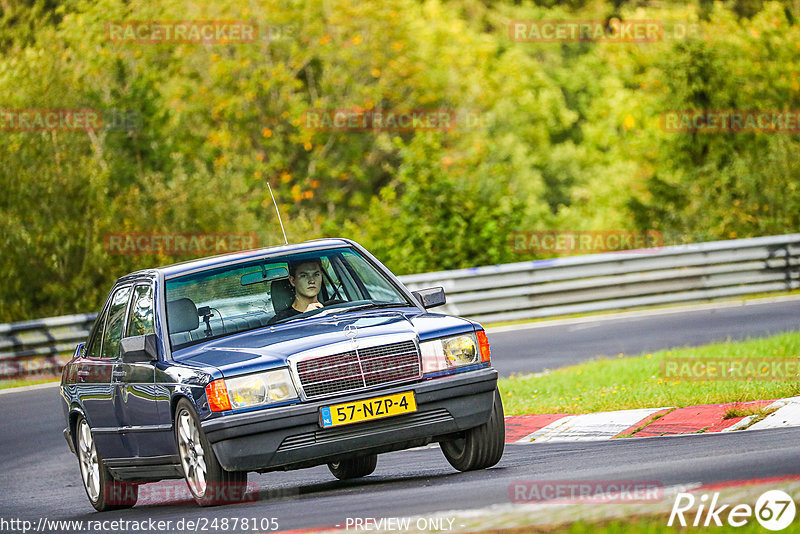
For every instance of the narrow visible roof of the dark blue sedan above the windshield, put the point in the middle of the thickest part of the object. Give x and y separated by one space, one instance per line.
170 271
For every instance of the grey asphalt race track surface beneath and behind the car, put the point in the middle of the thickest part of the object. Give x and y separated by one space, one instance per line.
40 477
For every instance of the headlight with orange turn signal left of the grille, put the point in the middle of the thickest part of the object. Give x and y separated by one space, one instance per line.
251 390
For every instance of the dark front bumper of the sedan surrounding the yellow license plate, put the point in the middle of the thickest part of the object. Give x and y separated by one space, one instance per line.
290 437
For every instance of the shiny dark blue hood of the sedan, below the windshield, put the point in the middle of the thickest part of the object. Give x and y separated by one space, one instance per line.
269 347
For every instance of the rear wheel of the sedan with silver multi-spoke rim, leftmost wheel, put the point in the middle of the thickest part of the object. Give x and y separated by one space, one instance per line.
104 492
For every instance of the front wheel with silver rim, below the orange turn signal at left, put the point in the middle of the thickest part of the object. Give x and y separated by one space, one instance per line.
209 483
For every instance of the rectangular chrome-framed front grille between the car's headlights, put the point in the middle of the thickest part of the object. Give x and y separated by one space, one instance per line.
359 368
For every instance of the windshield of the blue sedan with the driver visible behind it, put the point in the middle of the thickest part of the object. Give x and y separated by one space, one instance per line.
227 300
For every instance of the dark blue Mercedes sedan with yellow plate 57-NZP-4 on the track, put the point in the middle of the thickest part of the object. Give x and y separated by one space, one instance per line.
273 359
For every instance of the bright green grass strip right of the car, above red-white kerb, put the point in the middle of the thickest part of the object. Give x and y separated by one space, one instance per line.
637 382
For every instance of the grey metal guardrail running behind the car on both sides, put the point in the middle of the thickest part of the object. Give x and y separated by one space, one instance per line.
524 290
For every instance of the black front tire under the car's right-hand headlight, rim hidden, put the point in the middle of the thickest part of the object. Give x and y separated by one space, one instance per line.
480 447
